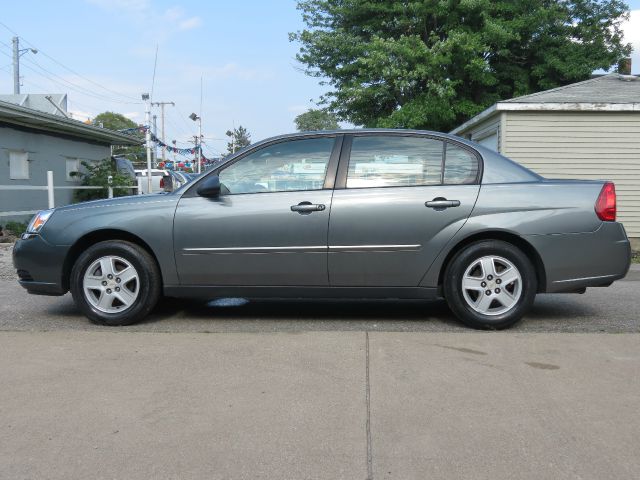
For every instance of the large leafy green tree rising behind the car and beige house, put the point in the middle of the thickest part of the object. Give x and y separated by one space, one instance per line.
434 64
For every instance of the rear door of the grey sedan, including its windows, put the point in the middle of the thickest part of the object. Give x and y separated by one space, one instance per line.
398 200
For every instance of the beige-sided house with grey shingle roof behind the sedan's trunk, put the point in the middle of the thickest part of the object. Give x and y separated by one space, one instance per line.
586 130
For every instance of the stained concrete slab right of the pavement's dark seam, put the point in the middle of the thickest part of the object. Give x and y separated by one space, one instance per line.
483 406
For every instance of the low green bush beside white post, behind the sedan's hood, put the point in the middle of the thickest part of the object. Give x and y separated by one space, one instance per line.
96 174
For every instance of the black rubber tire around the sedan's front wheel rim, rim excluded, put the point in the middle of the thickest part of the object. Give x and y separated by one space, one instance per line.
148 283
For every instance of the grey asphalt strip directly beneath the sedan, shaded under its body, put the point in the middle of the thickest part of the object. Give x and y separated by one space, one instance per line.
615 309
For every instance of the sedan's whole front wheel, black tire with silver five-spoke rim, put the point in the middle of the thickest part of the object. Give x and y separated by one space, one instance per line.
115 283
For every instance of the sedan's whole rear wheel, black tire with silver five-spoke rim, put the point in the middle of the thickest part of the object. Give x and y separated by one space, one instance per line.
490 284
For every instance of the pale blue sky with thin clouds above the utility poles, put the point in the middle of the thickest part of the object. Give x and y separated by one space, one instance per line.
240 49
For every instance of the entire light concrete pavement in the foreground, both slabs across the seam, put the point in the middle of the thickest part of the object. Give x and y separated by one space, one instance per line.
118 404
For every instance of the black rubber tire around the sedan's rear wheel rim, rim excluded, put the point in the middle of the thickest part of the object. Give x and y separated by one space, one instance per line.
453 291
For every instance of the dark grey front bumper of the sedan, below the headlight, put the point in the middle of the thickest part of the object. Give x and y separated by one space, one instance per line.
40 265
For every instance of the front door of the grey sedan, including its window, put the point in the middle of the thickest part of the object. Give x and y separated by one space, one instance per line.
269 225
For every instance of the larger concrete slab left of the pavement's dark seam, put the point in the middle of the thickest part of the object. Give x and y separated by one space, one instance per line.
177 406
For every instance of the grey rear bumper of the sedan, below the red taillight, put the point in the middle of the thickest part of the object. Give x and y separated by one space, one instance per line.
576 261
